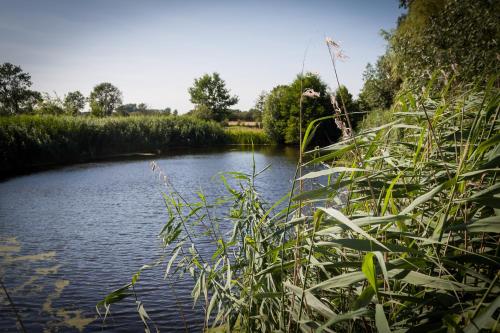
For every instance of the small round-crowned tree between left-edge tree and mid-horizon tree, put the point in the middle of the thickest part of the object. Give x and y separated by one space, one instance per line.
104 99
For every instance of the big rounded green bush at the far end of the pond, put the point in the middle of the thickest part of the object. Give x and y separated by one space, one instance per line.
282 110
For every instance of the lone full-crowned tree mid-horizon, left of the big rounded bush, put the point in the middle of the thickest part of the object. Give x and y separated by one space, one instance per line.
211 97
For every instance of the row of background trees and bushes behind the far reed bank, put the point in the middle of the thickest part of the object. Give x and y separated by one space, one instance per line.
278 110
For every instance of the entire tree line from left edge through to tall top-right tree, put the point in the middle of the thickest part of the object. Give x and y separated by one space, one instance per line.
428 44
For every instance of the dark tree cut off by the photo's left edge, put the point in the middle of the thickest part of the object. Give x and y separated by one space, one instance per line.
15 95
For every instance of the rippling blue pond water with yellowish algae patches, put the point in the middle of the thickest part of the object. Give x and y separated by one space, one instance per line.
70 236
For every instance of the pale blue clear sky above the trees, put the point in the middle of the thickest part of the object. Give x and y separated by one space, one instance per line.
153 50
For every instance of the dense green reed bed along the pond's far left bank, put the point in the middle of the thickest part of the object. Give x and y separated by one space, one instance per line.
28 142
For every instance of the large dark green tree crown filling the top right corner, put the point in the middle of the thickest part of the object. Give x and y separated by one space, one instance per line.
457 37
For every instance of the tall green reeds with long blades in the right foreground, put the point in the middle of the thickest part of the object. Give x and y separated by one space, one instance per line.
402 237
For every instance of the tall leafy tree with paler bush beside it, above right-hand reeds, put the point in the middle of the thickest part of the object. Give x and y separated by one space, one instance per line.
452 37
